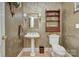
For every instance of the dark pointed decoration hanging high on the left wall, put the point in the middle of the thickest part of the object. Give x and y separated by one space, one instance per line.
14 6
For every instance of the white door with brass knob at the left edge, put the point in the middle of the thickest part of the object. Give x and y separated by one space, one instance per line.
2 29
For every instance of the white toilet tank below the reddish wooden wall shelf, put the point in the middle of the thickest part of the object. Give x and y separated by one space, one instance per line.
53 39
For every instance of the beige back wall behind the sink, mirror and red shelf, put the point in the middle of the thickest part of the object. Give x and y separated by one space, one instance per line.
40 7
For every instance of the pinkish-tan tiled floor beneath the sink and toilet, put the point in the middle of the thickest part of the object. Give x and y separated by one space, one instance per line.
37 54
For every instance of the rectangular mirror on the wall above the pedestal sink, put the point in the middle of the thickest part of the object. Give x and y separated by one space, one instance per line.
34 19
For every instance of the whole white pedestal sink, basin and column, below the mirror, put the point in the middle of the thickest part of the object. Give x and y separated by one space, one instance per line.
32 36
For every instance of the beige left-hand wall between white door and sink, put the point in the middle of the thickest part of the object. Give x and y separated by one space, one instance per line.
13 43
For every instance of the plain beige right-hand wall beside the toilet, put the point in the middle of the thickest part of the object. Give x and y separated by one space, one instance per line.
70 33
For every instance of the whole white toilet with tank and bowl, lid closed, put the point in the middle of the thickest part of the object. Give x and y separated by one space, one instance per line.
56 50
